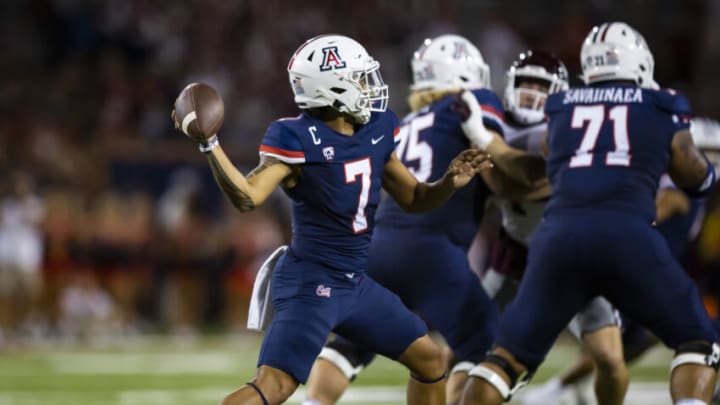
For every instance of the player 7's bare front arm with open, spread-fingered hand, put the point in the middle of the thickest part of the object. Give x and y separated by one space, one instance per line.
415 196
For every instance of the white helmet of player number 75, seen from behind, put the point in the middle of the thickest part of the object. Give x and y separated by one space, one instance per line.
449 61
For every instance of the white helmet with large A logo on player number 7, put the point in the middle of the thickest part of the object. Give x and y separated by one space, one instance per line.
336 71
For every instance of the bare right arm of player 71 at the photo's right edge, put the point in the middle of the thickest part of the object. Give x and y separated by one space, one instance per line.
688 168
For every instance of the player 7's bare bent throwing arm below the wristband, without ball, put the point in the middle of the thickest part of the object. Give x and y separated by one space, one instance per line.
247 192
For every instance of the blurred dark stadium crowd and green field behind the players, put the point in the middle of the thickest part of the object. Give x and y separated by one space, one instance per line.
142 256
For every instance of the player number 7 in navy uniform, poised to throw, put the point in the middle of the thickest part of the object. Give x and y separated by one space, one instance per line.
332 160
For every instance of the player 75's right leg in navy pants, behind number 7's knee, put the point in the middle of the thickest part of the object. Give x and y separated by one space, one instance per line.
432 276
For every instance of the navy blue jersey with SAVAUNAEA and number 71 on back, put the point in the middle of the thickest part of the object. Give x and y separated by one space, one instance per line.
609 145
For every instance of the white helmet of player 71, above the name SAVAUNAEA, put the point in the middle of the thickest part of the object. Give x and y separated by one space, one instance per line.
616 51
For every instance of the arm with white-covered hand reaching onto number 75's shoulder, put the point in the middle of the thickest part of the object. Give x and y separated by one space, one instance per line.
527 168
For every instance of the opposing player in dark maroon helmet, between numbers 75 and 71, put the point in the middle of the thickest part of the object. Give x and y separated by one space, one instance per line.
531 78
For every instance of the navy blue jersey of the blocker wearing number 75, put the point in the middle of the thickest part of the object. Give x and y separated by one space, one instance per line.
429 140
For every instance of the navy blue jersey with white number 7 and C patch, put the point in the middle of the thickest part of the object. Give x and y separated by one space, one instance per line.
339 189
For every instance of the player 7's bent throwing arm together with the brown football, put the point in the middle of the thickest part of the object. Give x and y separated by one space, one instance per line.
199 113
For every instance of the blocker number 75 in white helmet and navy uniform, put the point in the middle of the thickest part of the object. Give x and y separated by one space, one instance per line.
423 258
